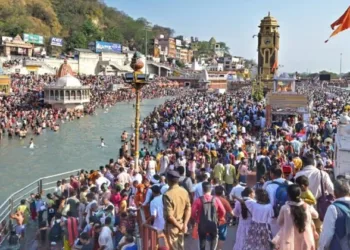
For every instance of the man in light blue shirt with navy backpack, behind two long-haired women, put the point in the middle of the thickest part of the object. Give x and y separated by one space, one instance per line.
271 188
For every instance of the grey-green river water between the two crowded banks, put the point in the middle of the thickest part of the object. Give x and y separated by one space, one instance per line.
74 146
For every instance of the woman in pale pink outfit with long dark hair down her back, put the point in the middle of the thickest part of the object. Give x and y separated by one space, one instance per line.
296 226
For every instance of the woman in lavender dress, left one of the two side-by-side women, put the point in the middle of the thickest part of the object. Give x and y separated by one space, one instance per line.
245 218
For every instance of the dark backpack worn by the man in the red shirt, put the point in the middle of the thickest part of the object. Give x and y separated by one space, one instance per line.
208 223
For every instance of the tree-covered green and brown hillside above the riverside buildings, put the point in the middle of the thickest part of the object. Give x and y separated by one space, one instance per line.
77 21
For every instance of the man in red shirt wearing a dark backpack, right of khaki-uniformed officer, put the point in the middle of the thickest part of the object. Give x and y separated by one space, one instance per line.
200 209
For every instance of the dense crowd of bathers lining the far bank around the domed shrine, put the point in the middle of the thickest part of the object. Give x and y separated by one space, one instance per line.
23 112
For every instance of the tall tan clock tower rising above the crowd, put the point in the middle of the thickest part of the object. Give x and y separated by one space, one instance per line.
268 46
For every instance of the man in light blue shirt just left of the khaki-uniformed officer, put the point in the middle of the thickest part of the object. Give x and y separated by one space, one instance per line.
156 209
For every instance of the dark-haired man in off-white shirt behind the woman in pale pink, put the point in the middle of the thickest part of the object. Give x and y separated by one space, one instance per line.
314 175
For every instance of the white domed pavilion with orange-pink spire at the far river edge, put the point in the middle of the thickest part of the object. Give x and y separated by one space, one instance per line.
67 92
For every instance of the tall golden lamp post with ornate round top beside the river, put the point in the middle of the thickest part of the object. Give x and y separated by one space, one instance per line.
137 80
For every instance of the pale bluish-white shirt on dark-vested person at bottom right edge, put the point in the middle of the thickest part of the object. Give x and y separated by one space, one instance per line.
329 220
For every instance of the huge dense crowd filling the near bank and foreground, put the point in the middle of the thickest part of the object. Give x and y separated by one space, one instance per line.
209 162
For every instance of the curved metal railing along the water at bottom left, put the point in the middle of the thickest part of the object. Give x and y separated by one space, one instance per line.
40 186
